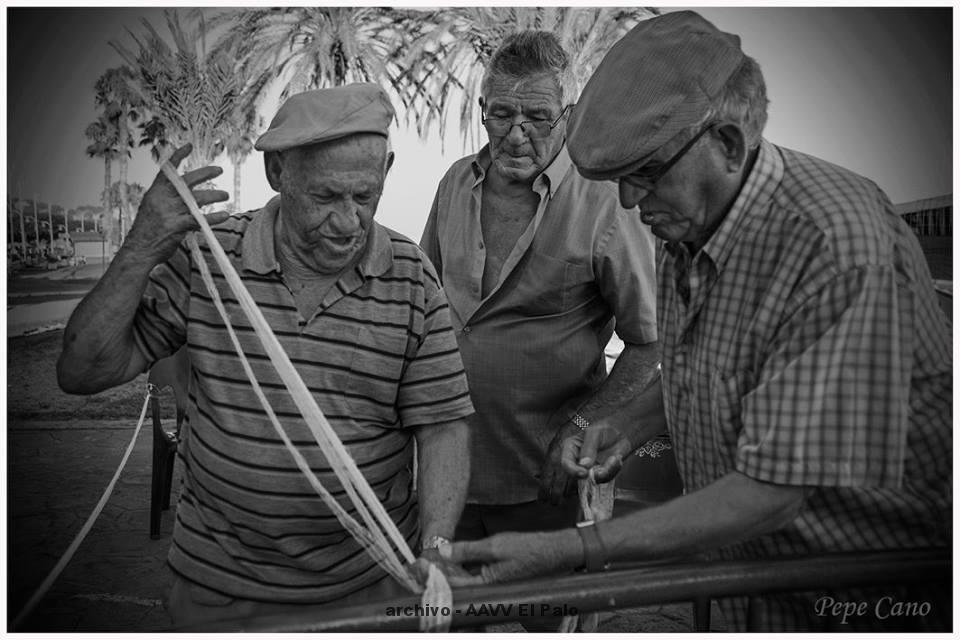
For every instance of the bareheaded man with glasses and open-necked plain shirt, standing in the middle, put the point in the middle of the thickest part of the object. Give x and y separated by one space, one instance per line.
538 265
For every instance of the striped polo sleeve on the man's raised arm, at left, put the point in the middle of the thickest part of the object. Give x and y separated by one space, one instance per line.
160 324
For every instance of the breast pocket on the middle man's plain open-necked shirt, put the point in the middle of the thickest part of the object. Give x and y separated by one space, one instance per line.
550 286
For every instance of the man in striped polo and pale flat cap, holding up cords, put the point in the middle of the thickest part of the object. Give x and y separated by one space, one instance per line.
359 310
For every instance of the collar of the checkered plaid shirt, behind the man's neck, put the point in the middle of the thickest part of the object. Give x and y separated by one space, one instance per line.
757 190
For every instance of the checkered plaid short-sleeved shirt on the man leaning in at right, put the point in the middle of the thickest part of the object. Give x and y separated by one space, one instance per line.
803 345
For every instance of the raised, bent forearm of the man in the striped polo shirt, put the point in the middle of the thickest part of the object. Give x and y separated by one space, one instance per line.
98 346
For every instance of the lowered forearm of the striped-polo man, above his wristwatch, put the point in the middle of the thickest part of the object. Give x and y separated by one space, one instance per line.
443 458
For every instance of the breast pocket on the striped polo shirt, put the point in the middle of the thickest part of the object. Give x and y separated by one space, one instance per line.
375 374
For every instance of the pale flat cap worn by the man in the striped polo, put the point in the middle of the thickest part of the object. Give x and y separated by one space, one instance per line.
328 114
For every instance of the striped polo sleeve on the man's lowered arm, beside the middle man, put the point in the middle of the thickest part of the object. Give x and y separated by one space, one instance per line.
433 388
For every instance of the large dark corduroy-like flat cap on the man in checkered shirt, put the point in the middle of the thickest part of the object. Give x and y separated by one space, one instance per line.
657 80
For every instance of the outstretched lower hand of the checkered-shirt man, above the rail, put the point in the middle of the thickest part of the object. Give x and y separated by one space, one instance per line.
511 556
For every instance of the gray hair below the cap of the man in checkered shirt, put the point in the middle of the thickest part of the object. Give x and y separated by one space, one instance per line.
743 100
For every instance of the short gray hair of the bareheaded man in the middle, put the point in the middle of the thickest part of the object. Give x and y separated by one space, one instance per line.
532 52
